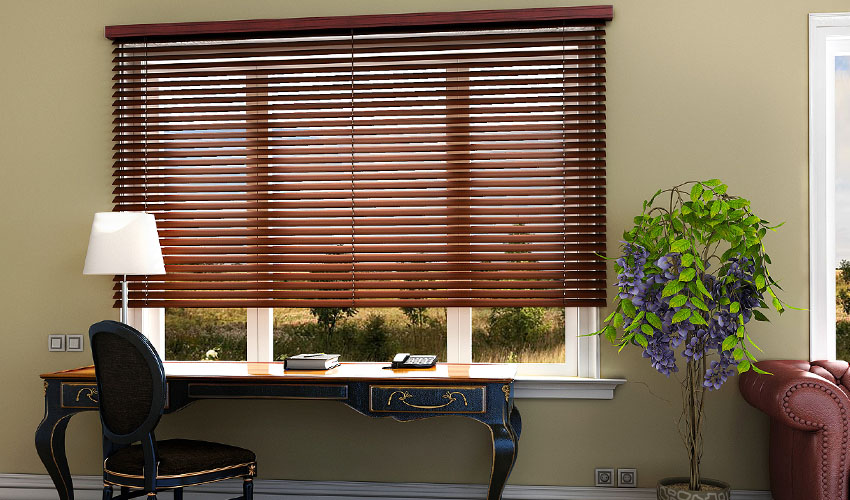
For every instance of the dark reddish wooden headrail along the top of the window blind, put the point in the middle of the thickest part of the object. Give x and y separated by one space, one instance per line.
589 13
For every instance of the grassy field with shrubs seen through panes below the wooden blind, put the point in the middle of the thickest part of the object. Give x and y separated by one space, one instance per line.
524 335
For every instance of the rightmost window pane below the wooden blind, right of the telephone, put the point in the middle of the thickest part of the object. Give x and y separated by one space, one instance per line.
518 335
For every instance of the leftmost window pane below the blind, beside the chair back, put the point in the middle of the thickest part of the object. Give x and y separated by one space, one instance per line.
193 334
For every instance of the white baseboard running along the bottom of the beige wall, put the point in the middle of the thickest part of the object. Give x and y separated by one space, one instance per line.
40 487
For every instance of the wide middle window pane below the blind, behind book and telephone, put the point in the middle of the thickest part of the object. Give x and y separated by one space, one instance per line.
360 334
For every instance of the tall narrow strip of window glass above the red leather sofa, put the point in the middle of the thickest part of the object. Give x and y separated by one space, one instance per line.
842 206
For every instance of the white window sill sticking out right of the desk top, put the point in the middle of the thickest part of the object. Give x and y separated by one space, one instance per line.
554 387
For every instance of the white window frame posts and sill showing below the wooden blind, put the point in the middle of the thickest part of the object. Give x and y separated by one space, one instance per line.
577 378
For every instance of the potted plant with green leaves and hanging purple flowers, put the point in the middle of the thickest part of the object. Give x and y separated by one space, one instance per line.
692 274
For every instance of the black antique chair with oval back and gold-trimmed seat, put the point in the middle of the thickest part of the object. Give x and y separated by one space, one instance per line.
132 393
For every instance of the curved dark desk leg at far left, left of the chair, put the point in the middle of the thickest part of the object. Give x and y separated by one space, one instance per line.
50 439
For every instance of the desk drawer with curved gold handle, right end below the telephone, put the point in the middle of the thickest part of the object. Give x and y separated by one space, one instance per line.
431 399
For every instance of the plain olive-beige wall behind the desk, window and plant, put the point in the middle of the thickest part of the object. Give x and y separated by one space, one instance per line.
696 90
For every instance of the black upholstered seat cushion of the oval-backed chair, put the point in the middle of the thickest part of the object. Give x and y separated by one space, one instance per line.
180 457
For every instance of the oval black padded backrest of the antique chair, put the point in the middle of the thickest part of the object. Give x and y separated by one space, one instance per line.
130 381
